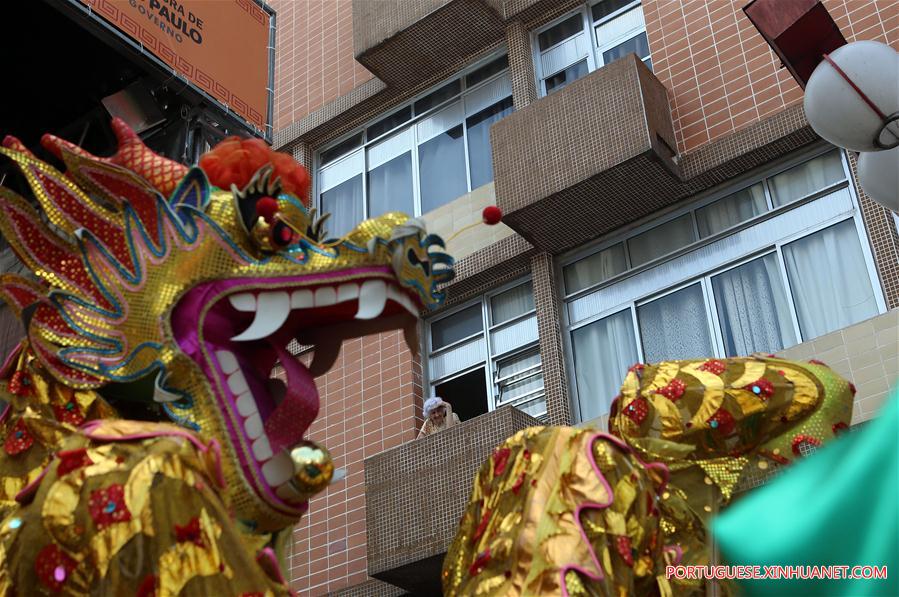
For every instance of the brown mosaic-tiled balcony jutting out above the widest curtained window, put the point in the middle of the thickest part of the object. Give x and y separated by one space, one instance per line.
587 159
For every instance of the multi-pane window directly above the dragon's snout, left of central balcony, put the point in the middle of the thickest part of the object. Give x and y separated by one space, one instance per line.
419 156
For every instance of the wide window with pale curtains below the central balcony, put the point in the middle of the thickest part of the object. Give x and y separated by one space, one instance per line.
756 269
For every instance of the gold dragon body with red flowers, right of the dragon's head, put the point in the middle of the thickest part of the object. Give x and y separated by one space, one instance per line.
563 511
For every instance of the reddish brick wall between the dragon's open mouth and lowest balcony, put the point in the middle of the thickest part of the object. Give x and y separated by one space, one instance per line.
370 402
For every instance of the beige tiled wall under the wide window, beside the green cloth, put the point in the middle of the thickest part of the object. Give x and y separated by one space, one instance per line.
866 353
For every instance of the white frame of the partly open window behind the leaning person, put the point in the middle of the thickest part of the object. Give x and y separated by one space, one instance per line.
489 361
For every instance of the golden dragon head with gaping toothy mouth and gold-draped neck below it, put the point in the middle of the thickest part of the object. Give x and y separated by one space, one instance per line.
146 449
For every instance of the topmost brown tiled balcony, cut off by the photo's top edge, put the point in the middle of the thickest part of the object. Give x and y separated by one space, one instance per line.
409 41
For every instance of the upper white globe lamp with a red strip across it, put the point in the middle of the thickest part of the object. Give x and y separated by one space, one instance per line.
852 97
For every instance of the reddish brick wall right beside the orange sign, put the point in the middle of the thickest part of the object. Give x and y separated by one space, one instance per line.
314 61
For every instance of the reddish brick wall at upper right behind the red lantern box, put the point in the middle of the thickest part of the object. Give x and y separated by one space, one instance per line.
720 73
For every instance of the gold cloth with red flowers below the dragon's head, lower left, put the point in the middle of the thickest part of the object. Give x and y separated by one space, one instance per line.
129 504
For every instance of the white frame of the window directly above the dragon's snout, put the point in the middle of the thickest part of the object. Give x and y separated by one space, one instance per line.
356 160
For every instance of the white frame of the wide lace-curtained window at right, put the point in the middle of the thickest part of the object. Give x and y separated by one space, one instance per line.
705 275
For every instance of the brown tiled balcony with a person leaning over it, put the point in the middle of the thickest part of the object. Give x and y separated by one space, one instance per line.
415 495
